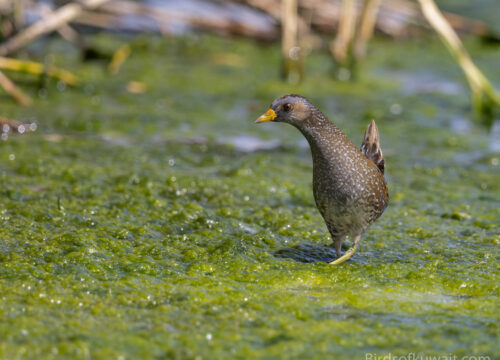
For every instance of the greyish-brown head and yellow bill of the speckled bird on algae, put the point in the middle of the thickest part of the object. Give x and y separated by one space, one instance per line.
291 109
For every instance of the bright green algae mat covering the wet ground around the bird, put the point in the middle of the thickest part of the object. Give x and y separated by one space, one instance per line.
149 218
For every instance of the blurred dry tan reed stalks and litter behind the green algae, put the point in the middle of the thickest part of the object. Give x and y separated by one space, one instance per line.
342 27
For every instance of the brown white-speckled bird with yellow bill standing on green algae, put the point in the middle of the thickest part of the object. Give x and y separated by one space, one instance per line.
349 187
